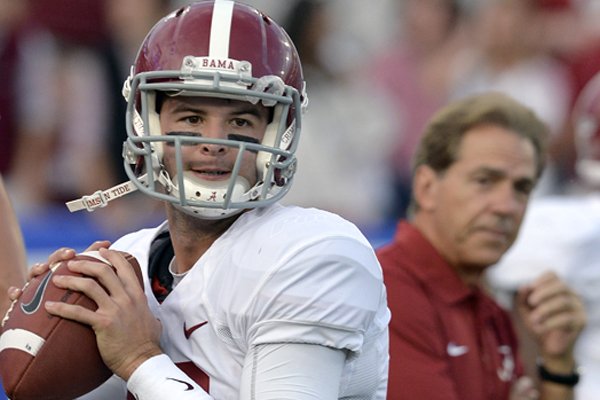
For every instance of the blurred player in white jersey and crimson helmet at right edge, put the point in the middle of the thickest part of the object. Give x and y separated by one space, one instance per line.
561 234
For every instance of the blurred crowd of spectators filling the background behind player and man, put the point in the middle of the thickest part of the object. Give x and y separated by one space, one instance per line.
375 72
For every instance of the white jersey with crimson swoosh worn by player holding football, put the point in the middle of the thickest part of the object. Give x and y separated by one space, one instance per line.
277 275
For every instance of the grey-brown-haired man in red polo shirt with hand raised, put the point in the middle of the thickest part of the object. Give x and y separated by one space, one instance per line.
474 171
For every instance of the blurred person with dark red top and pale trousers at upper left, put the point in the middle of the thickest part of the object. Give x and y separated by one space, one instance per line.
61 101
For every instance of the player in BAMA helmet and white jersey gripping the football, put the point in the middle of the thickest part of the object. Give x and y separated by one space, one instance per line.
246 298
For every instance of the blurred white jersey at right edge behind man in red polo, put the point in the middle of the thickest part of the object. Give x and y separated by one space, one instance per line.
561 234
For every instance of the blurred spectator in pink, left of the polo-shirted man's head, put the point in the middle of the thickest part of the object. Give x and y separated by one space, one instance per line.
415 70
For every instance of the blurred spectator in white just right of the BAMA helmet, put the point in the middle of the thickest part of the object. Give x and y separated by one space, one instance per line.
342 166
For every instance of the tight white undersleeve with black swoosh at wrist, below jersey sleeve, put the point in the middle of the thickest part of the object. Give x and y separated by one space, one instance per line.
309 371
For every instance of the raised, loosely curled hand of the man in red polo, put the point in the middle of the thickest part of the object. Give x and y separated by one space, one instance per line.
554 315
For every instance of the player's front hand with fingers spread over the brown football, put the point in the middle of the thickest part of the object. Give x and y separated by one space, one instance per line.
127 332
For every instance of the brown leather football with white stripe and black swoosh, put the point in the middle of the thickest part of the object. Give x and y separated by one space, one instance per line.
43 356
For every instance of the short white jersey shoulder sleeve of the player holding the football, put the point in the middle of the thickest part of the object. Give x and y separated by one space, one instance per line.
327 293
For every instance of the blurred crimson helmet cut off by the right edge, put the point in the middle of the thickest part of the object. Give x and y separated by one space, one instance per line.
586 119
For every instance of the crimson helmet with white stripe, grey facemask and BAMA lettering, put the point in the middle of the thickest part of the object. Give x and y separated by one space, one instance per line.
218 49
